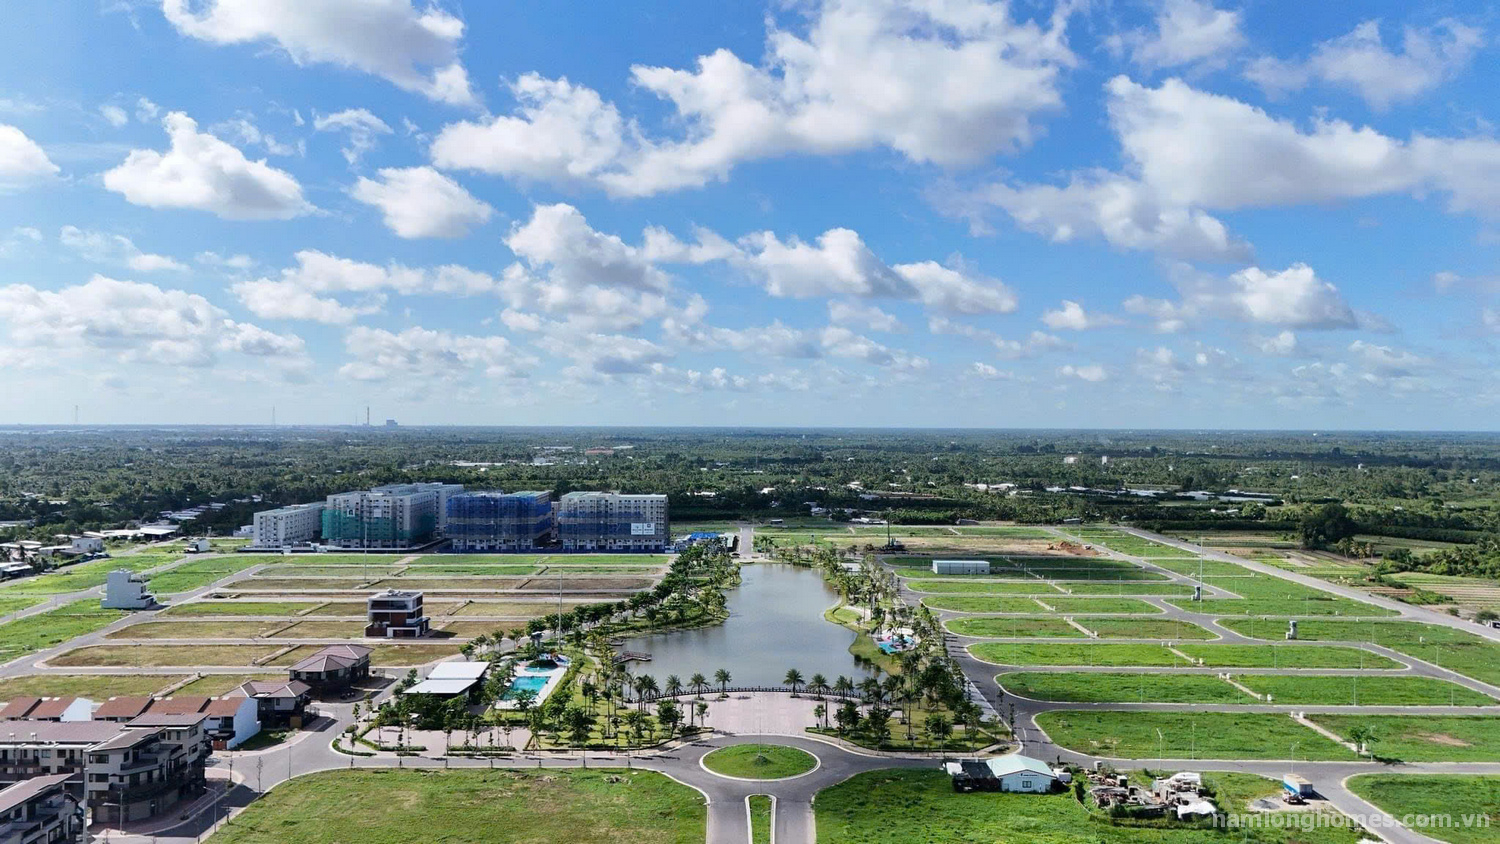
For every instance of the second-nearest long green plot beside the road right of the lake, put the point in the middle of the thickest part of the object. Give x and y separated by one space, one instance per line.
1100 687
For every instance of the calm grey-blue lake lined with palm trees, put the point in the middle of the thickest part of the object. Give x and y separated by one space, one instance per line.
776 623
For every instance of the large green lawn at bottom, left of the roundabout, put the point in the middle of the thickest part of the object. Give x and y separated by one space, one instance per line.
502 807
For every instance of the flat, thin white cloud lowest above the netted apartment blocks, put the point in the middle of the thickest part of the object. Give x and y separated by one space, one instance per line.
430 356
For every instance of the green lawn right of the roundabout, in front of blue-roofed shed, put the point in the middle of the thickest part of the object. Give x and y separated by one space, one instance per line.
920 807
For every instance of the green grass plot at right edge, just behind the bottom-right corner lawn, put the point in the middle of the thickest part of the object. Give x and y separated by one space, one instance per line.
1423 738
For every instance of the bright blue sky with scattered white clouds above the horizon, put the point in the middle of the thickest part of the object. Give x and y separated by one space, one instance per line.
1174 214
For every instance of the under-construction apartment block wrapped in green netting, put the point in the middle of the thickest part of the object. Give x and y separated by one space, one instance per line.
389 518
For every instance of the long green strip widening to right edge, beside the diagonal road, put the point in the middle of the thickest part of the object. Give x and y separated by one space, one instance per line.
1454 650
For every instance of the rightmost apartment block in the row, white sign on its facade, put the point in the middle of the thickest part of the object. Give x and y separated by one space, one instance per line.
613 522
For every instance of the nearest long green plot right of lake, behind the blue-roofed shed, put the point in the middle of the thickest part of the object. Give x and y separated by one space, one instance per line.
1184 735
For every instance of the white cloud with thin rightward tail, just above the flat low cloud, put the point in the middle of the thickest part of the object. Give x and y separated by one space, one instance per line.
311 289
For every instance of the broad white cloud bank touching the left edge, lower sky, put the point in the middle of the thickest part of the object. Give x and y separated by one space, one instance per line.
136 323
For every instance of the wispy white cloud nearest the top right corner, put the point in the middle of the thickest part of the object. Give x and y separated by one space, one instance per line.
1363 64
